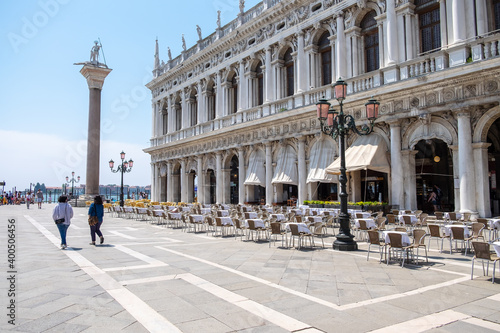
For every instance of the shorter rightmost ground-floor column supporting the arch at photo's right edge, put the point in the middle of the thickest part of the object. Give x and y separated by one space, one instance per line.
482 184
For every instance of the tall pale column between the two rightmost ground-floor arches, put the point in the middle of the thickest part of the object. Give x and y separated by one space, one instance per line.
465 167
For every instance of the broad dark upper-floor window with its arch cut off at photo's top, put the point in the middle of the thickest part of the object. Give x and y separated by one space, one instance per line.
429 24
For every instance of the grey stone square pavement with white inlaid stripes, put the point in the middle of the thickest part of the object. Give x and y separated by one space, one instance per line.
149 278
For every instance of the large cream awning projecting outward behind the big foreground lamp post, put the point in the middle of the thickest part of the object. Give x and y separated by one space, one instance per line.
367 152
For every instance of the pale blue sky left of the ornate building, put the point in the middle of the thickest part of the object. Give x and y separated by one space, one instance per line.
44 98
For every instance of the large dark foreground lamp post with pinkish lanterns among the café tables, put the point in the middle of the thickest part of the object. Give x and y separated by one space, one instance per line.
337 124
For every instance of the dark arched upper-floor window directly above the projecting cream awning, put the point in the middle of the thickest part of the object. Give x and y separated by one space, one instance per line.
369 32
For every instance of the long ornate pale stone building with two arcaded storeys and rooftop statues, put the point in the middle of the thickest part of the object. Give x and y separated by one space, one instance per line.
234 116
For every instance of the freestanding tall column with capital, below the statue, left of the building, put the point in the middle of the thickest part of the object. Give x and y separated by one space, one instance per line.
95 79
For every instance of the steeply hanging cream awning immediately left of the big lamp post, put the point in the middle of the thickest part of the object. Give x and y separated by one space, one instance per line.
322 154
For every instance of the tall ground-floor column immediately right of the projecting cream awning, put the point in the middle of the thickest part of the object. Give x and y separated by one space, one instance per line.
397 178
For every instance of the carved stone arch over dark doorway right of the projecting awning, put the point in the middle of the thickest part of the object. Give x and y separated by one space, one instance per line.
438 128
